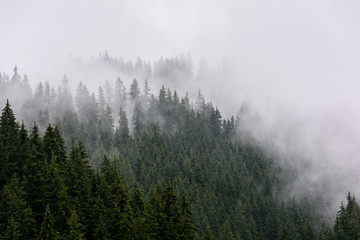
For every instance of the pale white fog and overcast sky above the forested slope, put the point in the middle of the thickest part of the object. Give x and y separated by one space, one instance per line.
295 62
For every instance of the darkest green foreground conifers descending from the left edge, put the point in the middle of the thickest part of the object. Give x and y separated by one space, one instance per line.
49 194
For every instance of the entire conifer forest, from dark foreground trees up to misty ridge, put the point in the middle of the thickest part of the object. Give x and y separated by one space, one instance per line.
126 163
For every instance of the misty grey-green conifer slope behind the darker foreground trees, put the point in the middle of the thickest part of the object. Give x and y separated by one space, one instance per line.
235 189
